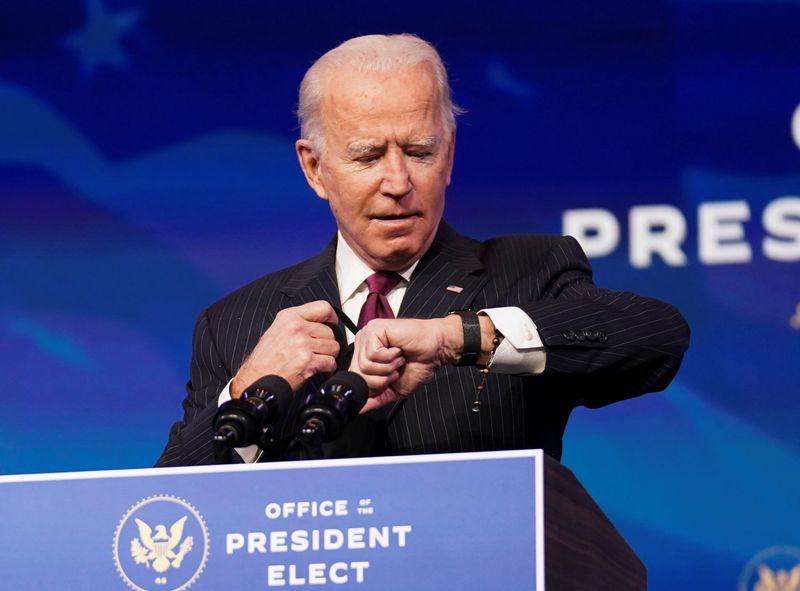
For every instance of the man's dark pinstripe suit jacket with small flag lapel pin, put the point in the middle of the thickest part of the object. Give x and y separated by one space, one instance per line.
602 346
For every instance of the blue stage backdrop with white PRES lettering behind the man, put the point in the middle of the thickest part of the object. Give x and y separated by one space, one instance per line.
147 168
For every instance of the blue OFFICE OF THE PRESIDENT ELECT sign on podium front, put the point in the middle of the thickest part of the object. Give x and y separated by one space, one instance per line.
454 521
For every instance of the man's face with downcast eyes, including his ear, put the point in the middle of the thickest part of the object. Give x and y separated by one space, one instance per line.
386 162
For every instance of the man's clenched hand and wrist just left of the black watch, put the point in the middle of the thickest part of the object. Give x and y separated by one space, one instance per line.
396 356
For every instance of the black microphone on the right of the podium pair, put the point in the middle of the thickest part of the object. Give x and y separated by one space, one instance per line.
325 412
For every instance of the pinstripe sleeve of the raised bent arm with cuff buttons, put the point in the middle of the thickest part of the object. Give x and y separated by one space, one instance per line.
602 345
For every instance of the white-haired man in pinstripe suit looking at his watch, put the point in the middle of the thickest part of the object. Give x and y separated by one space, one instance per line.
378 142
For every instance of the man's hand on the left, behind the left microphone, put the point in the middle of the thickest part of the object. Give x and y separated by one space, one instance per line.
296 346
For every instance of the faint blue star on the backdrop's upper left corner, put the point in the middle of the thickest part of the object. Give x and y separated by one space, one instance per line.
98 43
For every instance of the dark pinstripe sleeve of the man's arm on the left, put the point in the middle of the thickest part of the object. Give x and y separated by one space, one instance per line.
190 440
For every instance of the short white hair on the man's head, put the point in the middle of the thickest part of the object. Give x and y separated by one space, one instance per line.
374 54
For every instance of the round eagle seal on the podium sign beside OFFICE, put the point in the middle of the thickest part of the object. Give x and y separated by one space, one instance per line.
161 544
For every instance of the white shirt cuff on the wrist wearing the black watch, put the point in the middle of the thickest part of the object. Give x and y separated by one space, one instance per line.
522 350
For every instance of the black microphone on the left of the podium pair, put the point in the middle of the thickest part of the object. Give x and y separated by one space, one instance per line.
247 420
